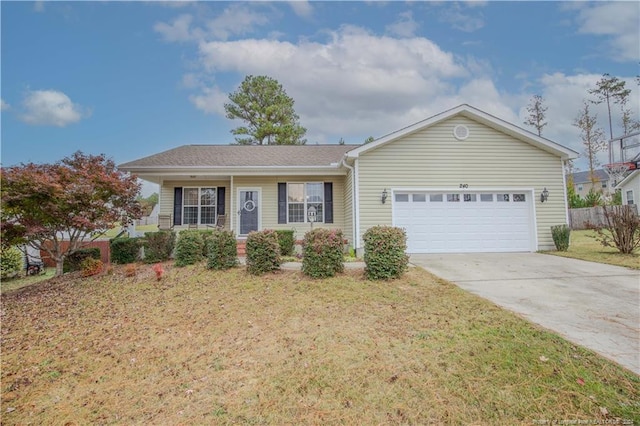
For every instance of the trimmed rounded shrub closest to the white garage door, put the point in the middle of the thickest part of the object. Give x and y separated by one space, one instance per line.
384 252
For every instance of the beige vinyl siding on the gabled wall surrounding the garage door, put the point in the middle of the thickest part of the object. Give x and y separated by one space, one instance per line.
433 158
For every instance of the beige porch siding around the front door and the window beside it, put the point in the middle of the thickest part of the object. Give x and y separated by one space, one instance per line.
268 186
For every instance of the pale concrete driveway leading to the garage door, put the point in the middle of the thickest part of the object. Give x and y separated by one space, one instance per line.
591 304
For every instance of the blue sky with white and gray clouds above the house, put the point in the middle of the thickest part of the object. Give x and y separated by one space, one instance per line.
131 79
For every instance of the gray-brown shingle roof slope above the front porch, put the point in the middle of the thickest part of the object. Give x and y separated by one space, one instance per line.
229 156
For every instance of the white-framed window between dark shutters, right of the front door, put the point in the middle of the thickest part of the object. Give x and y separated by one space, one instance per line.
303 196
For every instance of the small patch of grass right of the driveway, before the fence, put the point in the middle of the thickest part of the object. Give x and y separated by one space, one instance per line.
584 246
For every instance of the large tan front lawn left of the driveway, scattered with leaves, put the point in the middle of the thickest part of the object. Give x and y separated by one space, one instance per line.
202 347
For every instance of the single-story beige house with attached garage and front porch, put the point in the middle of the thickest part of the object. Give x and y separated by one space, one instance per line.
460 181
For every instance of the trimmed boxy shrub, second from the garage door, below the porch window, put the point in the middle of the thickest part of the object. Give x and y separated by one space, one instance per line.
322 253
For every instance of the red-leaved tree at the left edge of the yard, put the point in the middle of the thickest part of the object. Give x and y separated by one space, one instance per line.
74 200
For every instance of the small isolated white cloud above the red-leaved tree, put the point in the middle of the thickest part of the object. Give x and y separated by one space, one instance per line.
50 108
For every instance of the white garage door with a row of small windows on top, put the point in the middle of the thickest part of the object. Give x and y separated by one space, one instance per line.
441 222
